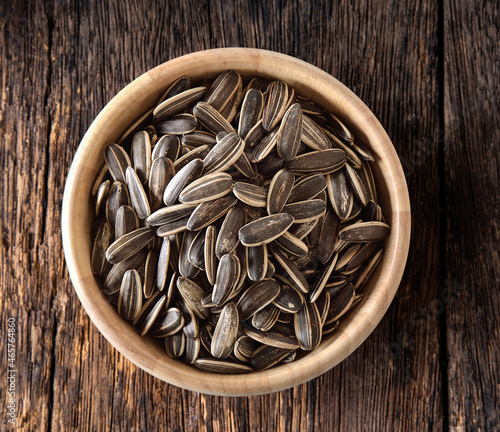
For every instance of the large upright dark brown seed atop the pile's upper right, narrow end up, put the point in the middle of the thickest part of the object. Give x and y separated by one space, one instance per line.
289 133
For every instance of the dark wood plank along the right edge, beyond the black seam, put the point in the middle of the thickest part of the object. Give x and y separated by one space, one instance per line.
471 159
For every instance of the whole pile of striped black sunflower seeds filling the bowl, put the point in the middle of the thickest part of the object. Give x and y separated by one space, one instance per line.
240 226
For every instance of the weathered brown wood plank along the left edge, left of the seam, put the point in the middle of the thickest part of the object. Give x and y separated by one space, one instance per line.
29 267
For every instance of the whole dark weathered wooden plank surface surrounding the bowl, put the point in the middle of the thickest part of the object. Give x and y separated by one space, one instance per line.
428 69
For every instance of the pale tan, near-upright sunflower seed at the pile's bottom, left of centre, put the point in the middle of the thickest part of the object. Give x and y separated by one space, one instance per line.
226 332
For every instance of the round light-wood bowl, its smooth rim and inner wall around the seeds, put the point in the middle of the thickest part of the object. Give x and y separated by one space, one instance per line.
140 96
